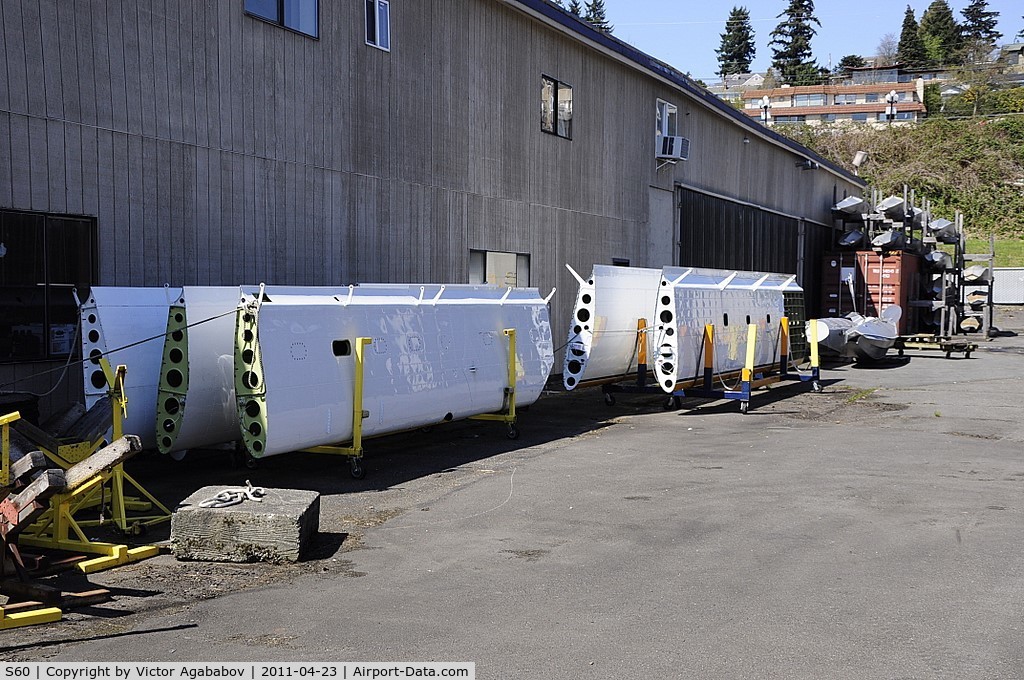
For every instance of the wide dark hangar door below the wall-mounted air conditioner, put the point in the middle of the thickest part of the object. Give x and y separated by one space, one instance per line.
726 235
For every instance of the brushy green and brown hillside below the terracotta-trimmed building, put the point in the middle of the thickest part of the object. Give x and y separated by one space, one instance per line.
975 166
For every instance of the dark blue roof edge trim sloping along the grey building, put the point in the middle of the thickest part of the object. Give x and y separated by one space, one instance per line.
628 55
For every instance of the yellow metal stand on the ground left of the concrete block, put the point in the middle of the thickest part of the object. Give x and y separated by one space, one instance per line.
59 529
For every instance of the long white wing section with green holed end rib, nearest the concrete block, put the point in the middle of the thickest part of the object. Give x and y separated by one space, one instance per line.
437 354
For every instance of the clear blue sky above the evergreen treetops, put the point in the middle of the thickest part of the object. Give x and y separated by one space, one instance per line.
687 34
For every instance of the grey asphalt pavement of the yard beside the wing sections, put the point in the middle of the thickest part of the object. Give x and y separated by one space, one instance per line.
872 531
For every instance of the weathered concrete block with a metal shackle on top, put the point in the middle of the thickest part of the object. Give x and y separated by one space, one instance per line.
277 530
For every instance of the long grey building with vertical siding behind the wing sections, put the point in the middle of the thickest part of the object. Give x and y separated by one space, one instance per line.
310 143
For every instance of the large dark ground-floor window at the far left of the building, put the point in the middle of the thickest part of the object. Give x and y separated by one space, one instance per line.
42 260
